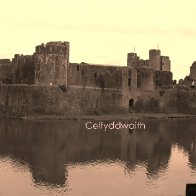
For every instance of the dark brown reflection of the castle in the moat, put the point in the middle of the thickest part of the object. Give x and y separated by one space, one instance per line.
47 151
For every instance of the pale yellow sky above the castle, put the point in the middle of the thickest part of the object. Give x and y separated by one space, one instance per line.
102 31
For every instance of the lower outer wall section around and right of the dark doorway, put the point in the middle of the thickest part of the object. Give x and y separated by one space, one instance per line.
160 101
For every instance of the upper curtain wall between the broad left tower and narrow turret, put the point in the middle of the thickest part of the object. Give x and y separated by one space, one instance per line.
84 75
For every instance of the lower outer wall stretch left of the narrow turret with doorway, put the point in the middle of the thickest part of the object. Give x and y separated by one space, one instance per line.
24 100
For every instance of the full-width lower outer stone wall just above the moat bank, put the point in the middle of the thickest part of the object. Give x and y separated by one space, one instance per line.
35 100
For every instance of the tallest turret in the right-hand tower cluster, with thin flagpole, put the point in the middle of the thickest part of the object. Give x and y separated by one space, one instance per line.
154 59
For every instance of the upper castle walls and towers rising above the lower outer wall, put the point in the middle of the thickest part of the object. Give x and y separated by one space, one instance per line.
50 65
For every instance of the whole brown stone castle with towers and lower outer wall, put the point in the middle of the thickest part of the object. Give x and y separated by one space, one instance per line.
48 83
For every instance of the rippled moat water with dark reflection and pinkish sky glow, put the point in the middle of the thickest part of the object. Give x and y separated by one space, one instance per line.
64 158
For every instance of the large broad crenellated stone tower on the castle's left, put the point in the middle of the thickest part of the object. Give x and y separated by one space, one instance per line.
52 63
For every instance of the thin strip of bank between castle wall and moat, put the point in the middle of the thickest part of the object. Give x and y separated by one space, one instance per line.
105 117
